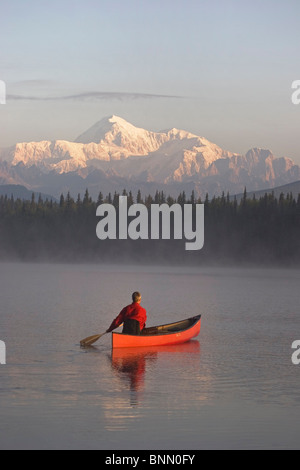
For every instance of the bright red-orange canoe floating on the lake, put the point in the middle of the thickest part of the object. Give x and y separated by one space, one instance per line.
172 333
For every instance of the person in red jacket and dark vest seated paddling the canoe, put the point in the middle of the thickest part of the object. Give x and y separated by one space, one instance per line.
133 316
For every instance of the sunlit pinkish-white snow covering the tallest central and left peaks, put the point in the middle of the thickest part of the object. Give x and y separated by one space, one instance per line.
111 140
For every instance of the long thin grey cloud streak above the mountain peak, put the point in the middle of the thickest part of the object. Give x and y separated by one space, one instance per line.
93 95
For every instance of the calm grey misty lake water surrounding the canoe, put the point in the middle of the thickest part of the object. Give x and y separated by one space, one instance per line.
233 387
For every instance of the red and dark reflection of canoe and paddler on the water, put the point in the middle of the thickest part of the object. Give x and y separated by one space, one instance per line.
131 364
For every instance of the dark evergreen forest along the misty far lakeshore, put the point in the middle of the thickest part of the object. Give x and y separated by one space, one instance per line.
263 230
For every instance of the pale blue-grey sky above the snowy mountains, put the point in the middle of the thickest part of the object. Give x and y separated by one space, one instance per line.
222 69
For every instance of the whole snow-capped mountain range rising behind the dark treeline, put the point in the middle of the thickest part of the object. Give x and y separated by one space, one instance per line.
113 152
